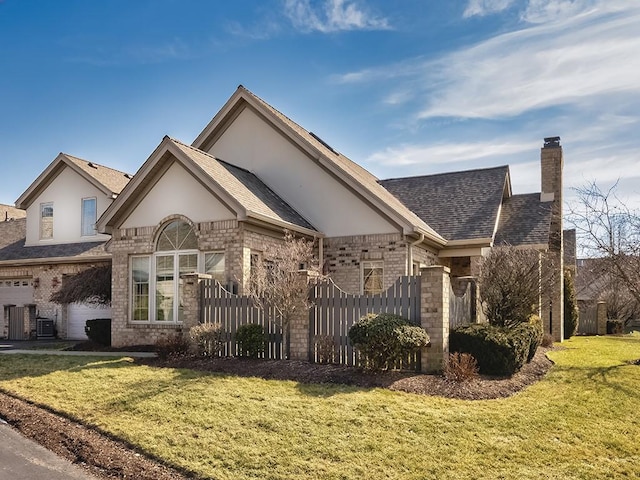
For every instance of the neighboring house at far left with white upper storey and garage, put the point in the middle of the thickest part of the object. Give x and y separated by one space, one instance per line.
55 237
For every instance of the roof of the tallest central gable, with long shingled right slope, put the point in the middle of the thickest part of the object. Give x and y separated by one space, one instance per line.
359 180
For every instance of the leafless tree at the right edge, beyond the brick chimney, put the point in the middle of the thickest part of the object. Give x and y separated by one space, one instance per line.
609 230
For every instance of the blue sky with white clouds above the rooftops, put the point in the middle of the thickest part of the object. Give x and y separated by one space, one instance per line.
408 87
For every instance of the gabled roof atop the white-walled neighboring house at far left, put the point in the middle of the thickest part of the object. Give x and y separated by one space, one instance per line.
109 181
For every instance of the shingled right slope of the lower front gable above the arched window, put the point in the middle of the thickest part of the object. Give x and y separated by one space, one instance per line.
246 188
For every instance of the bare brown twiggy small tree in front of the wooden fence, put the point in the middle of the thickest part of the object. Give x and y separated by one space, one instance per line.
277 285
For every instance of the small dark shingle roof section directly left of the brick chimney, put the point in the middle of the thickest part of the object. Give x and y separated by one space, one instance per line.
524 220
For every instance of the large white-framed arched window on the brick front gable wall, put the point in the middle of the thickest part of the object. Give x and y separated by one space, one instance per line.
156 286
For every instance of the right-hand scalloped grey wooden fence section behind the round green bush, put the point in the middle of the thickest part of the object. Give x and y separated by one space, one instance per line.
335 311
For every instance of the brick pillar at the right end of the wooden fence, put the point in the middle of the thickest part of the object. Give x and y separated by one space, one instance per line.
434 316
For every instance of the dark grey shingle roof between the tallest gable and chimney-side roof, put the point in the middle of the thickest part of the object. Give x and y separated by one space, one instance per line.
459 205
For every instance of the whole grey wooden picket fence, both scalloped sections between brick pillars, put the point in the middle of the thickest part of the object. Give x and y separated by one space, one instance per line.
330 318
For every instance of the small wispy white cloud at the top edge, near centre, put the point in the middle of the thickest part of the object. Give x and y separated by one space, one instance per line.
332 16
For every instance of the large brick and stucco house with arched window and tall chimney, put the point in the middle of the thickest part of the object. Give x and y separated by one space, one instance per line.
217 206
